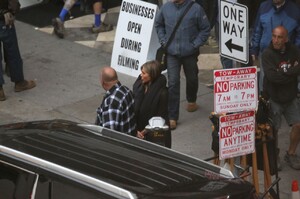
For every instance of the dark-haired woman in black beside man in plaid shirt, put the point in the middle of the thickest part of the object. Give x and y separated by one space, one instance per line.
151 98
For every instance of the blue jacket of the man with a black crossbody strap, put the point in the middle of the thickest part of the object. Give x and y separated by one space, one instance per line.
192 33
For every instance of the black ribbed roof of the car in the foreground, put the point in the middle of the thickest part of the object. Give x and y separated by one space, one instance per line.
104 155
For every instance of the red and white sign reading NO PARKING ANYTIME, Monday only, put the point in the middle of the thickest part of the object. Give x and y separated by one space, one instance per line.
237 134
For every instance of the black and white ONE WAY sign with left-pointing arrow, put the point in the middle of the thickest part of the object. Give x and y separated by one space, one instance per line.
234 33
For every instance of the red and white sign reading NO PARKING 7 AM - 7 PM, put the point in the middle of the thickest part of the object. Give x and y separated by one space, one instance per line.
235 89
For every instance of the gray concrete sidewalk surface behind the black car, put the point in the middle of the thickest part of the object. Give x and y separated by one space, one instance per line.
68 88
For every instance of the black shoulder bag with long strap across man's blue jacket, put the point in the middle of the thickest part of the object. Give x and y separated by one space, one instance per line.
161 53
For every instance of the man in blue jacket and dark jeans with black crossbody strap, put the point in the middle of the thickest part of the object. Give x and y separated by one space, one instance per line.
183 50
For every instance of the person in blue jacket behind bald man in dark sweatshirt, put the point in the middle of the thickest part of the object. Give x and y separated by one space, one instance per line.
271 14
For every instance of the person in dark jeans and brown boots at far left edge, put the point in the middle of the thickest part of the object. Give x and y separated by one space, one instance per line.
8 37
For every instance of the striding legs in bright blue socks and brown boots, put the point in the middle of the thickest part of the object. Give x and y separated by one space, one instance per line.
98 26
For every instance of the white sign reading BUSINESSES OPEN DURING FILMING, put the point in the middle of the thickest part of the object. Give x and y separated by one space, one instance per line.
135 36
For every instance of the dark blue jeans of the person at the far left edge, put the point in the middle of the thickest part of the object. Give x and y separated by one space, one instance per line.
8 38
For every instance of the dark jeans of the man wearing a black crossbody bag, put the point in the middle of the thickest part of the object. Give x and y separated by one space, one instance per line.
190 69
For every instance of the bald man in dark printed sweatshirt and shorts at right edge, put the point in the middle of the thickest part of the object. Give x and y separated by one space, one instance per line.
281 66
